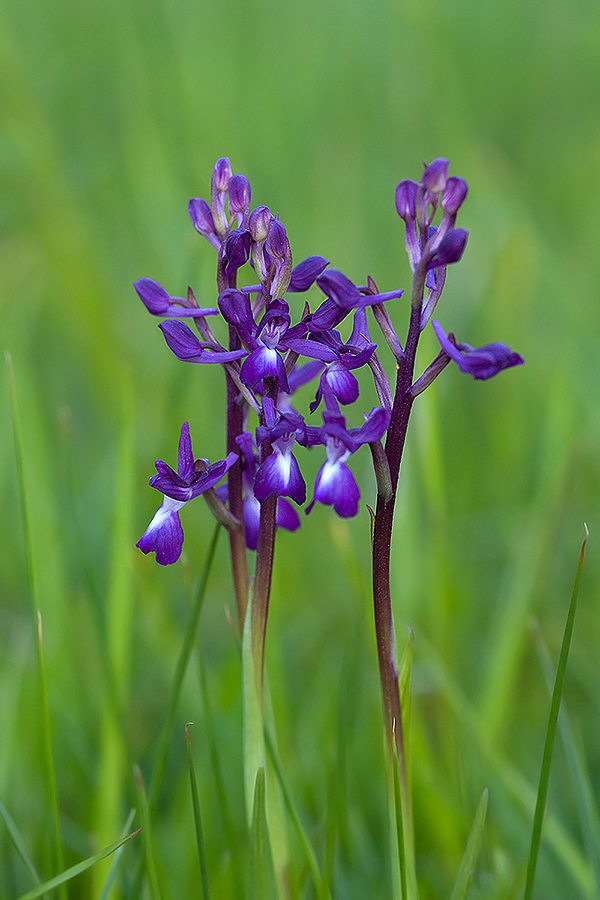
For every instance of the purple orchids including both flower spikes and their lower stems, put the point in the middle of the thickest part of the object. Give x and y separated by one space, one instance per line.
268 355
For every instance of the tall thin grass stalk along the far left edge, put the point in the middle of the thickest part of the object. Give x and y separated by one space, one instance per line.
37 625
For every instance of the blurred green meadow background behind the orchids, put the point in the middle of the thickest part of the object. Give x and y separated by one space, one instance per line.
111 116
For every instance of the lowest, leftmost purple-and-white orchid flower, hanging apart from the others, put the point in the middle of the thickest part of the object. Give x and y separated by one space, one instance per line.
164 534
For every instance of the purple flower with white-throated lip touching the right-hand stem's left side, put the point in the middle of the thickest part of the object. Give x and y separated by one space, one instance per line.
335 485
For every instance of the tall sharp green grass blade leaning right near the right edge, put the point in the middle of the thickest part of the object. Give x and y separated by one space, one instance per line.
551 731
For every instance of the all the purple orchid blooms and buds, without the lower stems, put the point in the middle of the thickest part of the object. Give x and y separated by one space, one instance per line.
271 349
